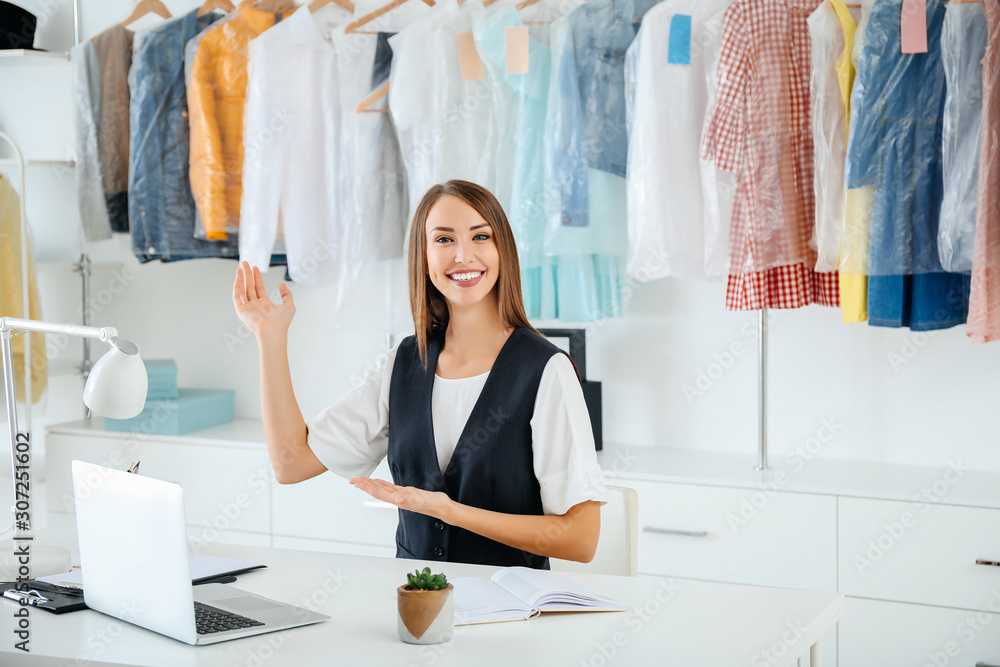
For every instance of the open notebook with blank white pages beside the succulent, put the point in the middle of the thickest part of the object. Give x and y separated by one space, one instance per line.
519 593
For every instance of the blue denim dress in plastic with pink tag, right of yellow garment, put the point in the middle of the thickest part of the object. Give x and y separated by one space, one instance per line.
895 145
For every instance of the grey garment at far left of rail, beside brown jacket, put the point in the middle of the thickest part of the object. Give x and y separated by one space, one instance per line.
87 102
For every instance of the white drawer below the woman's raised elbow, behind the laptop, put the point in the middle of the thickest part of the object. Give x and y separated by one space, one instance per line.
327 507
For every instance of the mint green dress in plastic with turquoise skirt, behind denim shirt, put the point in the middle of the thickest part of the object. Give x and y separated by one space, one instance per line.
567 273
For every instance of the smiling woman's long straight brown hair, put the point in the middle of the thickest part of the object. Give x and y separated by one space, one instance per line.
430 310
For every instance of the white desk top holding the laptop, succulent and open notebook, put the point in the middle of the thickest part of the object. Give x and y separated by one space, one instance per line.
671 622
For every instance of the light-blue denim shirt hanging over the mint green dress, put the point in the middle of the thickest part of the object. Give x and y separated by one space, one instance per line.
591 130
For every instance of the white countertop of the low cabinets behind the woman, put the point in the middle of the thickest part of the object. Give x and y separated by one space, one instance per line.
860 479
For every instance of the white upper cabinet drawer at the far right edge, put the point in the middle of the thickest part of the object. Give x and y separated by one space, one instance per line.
922 553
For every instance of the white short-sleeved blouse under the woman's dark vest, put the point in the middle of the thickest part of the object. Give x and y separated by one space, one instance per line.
352 437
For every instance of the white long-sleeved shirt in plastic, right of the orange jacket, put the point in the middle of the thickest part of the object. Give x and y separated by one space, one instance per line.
291 148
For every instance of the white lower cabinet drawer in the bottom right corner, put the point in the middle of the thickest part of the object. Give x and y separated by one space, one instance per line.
892 634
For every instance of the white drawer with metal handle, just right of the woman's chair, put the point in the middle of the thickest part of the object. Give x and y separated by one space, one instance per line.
747 536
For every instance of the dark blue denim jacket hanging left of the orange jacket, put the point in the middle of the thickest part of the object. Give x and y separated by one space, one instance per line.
161 206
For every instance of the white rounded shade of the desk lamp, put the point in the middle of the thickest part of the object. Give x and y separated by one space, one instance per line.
117 383
